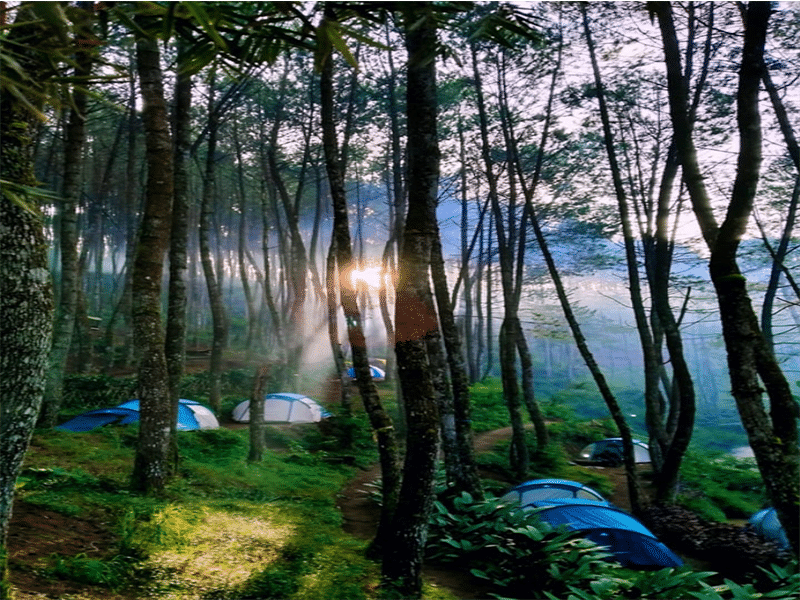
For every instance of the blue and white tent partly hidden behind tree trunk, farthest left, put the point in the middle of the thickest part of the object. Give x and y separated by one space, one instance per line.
191 416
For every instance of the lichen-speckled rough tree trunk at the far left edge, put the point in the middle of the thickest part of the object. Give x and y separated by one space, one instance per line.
26 299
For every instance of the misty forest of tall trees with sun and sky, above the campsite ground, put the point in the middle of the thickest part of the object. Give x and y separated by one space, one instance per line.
562 195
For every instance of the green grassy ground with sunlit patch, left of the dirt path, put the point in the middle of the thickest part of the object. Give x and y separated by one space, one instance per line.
225 529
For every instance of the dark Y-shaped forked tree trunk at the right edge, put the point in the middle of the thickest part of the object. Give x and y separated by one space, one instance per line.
773 435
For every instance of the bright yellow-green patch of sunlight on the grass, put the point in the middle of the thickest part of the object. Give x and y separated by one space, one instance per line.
223 550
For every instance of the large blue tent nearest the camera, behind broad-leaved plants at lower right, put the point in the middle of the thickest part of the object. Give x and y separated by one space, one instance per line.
631 543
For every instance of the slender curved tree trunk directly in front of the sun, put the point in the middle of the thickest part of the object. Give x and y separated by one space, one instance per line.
379 418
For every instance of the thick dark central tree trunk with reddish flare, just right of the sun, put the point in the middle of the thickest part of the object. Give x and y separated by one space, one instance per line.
415 319
